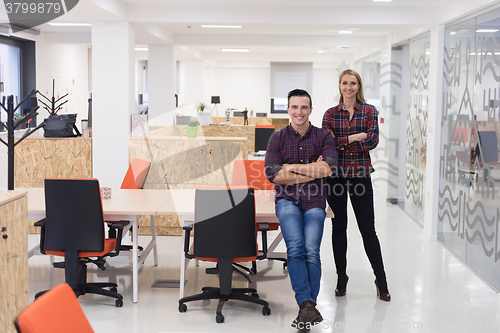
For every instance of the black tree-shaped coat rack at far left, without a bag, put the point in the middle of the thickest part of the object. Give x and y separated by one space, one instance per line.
10 127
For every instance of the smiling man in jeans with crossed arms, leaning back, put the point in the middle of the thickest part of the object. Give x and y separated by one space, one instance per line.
297 159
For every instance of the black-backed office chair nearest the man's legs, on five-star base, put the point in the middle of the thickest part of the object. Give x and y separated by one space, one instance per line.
224 231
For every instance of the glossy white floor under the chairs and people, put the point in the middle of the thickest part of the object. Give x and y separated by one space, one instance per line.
431 290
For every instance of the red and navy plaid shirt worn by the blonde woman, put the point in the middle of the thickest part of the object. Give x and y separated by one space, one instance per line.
354 158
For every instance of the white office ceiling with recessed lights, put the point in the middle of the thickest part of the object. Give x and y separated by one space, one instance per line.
273 30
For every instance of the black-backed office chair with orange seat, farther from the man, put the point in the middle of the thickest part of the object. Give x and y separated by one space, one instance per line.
74 228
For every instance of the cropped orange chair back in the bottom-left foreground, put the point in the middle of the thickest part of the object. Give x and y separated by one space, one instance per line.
56 311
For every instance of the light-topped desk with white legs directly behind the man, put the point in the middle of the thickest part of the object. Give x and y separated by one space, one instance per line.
182 204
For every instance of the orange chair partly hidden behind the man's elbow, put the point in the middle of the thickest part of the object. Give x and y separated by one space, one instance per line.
252 173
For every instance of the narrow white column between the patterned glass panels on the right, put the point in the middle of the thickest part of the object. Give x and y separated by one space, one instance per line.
434 132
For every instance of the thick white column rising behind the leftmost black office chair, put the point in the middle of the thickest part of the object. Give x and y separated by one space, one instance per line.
112 99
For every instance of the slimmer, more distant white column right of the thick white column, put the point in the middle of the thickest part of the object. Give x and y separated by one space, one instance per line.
161 79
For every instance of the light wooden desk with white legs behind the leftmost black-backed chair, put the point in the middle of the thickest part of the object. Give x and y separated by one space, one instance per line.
123 205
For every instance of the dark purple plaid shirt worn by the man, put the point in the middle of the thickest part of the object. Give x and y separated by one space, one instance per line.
288 147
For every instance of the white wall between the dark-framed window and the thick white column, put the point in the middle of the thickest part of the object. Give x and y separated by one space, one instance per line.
68 65
